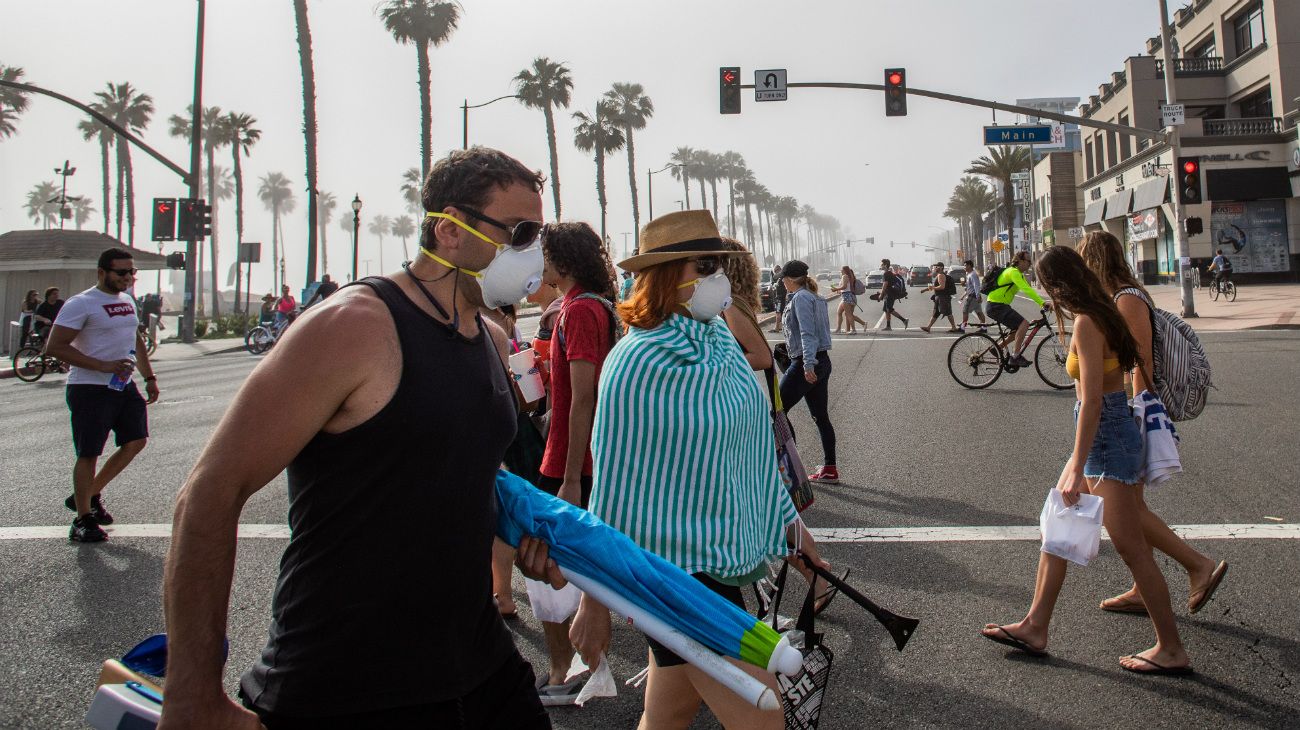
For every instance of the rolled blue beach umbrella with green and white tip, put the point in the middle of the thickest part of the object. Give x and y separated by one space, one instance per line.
584 546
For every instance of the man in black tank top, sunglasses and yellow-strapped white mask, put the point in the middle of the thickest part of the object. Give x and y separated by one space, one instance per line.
383 614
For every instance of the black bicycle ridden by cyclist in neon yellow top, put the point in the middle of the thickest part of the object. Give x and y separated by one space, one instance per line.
977 360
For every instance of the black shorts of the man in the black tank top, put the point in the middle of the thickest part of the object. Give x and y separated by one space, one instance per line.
506 701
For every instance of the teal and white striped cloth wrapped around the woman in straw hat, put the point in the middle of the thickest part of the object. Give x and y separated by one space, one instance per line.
684 455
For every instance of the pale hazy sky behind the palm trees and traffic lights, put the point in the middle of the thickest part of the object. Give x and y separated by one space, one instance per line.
883 177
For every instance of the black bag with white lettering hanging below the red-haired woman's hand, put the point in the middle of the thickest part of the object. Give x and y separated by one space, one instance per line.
804 693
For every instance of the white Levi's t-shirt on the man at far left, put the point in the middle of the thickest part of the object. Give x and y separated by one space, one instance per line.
107 325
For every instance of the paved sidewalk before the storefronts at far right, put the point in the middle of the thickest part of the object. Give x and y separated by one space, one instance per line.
1258 307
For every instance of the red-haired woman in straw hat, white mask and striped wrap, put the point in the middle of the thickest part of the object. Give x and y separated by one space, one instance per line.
683 457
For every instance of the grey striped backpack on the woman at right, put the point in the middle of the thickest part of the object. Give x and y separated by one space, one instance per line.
1181 371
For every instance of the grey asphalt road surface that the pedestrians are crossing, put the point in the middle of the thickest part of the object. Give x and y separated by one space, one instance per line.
916 450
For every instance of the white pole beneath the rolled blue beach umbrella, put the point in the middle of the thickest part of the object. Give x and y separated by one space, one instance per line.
705 659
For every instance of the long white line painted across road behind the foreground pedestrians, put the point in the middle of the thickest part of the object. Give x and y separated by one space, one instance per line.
824 535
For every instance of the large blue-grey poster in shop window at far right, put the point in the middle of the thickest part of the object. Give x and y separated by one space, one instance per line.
1254 236
